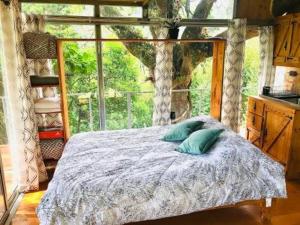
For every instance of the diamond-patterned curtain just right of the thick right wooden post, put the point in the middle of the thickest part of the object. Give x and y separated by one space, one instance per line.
234 59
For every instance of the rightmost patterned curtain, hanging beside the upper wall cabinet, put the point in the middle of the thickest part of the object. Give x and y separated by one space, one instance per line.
267 70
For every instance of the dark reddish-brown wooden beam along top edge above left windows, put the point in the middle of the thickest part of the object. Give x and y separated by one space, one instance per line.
94 2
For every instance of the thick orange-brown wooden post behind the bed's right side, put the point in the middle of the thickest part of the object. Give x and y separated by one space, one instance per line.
217 79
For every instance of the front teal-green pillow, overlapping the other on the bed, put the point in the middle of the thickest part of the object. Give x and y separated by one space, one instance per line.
200 141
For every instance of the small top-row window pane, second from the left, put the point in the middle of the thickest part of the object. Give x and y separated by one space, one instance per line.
121 11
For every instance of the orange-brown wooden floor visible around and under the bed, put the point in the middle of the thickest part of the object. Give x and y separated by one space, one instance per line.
286 212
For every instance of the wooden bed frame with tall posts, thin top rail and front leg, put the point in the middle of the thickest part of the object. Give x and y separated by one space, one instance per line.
216 99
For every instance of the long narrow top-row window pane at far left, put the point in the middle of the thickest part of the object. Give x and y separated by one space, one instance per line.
57 9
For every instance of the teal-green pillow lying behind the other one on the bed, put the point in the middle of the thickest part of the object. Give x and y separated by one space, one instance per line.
182 130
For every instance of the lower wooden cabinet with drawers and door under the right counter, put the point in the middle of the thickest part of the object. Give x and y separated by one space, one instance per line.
276 132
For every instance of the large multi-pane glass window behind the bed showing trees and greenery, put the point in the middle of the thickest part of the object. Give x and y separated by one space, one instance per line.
126 66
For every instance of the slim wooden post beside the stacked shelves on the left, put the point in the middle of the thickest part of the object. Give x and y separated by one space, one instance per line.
63 90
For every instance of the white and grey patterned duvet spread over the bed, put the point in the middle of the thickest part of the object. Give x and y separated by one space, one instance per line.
117 177
